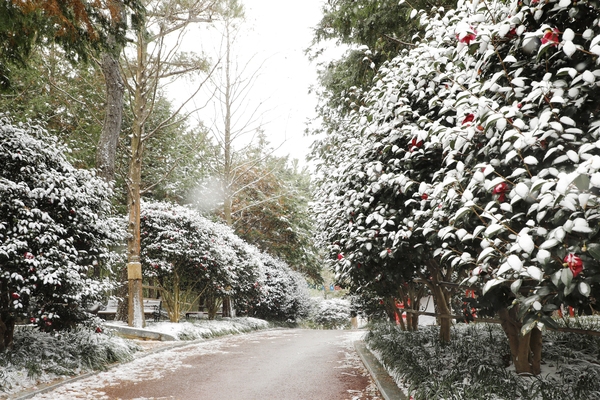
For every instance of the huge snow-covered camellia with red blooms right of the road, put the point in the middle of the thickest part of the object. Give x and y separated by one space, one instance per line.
475 159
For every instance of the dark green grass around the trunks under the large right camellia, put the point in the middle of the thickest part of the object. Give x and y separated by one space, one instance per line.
475 364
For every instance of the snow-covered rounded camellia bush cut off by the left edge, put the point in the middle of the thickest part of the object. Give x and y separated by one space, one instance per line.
54 231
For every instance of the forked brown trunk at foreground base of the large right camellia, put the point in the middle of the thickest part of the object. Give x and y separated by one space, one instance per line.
525 350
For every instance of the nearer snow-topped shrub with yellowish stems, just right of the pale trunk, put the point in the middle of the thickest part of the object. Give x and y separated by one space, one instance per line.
191 256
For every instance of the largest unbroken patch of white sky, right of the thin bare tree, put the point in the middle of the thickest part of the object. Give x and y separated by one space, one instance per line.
282 31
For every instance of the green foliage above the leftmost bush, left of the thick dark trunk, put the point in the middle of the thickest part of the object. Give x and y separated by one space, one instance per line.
67 99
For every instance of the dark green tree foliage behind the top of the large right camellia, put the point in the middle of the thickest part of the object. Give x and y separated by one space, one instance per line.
383 26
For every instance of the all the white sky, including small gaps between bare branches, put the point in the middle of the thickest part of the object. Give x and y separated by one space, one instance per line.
277 32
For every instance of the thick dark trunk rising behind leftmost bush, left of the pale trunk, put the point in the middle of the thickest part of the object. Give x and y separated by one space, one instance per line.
109 138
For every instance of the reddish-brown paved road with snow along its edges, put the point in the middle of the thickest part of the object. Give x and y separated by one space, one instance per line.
281 364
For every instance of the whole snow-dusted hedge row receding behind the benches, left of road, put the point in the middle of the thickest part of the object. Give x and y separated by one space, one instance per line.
182 249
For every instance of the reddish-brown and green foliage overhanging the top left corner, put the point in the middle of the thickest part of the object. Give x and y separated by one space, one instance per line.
79 27
